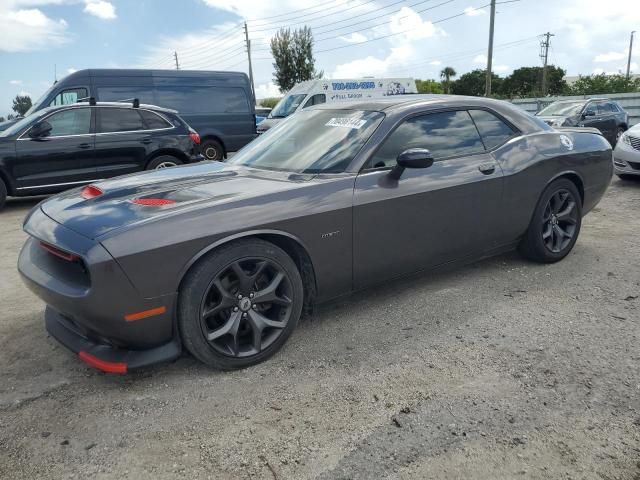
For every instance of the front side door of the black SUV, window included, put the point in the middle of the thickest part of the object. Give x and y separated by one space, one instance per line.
60 160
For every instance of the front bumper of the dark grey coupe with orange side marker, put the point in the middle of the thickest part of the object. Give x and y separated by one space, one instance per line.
92 306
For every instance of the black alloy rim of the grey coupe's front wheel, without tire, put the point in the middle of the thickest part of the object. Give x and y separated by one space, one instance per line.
246 307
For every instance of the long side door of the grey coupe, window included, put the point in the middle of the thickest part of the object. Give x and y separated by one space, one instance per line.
429 216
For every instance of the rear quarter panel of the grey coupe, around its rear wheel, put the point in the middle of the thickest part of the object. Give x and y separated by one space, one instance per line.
531 162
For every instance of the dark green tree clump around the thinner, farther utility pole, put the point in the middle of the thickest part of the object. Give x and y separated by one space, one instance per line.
527 82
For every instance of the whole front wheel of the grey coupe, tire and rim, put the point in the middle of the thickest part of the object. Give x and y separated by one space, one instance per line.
240 304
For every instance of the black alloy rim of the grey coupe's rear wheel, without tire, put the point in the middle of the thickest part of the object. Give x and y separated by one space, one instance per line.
559 221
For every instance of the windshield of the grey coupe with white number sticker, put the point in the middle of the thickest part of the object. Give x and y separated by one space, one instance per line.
320 141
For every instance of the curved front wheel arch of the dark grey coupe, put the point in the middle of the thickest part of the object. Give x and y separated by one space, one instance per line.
292 246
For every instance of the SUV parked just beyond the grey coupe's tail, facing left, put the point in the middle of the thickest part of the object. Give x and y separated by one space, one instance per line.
601 113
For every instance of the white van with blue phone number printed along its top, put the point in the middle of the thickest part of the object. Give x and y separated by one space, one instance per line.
314 92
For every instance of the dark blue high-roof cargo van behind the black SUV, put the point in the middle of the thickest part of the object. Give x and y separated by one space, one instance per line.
218 105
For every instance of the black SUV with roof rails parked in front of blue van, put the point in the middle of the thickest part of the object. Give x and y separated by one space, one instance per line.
61 147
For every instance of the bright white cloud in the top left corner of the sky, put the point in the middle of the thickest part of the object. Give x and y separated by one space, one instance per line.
29 29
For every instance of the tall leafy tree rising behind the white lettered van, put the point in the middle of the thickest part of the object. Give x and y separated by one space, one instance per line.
293 55
